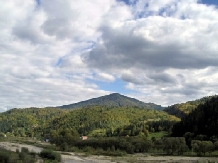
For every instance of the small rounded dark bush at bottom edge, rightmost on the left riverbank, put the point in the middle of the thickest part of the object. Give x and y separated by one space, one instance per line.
50 155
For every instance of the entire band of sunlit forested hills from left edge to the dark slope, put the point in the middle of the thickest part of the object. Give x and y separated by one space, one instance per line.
90 120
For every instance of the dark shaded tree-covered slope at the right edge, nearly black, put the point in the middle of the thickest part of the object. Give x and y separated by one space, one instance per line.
201 121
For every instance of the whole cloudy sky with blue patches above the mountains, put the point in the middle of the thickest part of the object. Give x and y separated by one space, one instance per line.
62 51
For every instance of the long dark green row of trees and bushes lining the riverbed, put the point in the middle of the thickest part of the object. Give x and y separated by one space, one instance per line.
130 145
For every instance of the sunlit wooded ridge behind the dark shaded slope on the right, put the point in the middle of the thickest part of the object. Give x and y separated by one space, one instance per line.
183 109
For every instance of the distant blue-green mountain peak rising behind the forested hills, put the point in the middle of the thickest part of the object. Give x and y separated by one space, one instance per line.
113 100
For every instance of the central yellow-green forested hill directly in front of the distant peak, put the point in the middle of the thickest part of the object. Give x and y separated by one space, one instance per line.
94 120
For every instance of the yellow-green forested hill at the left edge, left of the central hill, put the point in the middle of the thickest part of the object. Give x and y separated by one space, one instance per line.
28 122
